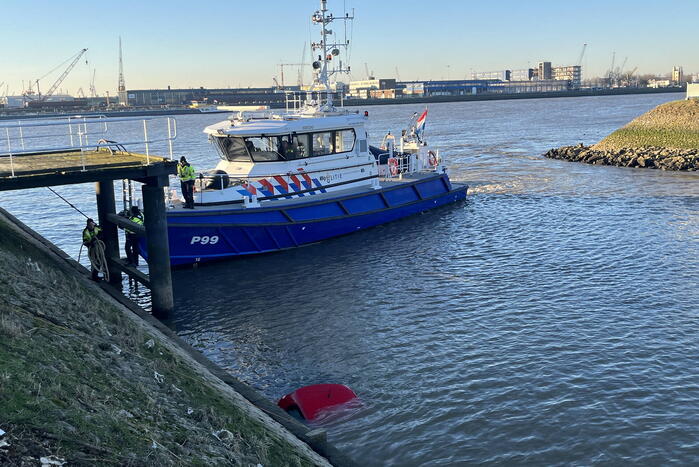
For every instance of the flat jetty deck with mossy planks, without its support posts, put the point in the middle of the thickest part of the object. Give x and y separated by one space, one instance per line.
67 167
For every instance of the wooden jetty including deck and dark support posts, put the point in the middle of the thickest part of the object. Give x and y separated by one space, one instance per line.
102 165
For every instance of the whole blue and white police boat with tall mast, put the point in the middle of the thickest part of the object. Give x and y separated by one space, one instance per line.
304 174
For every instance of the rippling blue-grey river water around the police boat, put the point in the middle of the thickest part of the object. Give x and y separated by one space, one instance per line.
551 318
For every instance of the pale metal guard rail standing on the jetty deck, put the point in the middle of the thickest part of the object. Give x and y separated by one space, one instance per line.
85 135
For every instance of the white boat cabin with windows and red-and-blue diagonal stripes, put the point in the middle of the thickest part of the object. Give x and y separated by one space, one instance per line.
277 156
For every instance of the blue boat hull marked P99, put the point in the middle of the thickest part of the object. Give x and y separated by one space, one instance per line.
201 236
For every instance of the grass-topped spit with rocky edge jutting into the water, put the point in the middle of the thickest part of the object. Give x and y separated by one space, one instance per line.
665 138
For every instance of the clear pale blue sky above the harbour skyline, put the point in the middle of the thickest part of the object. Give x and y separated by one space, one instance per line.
240 43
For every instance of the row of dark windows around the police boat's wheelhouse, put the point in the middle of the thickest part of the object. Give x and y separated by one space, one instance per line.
286 147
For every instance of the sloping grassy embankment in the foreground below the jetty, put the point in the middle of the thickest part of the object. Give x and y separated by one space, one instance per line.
91 383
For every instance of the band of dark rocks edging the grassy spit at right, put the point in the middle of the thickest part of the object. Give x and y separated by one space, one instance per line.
645 157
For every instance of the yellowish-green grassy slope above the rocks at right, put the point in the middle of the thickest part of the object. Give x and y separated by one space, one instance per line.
674 125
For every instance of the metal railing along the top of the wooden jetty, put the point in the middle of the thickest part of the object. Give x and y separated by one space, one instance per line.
18 136
